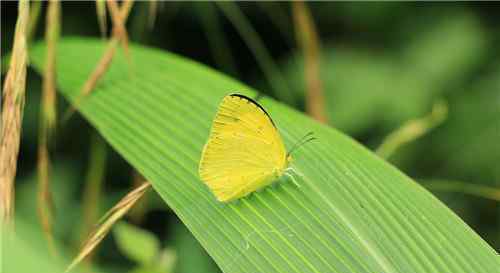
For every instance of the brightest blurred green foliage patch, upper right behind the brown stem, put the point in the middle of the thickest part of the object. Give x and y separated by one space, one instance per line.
366 88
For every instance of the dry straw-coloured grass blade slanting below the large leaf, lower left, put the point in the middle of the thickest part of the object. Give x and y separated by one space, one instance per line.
105 224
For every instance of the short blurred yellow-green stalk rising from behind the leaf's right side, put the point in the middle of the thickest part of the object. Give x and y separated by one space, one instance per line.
413 129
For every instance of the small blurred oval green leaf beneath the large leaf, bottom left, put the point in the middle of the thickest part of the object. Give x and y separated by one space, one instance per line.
137 244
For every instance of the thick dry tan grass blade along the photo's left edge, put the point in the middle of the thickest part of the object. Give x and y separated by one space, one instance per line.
14 94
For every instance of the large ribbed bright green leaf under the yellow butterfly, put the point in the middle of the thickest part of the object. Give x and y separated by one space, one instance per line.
353 212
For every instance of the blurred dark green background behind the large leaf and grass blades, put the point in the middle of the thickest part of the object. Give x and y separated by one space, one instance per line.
382 64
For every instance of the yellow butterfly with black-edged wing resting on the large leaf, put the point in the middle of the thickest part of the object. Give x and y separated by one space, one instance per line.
244 151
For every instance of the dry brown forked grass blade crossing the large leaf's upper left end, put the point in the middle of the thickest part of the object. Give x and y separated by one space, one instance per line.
119 16
